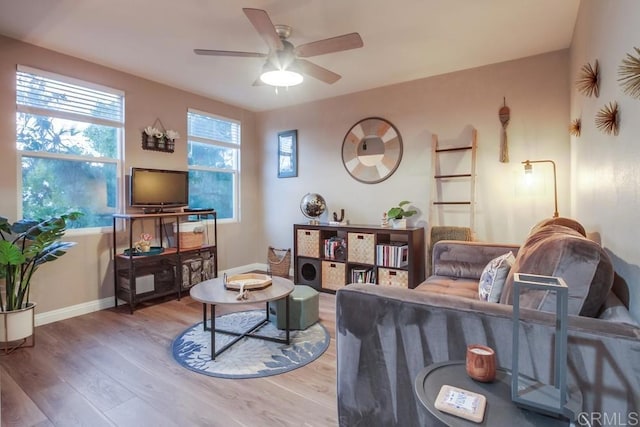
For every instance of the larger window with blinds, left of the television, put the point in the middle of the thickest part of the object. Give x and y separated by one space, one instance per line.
69 136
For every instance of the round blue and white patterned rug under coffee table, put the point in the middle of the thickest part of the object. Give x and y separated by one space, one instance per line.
249 357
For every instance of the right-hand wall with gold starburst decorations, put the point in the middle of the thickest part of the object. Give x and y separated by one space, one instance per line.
606 178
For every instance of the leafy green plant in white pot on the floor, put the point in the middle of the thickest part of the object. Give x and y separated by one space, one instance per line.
24 246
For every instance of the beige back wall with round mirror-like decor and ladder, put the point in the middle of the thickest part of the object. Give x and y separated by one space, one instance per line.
536 90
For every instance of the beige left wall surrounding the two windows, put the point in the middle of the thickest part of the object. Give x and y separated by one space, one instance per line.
84 274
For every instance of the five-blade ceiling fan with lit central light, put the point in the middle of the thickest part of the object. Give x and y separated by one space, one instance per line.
284 64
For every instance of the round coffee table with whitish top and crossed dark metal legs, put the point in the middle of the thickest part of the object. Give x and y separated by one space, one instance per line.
212 292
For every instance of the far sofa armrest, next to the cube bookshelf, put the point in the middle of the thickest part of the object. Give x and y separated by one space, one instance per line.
454 258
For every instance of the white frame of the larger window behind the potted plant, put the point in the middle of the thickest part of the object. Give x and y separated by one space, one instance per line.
66 115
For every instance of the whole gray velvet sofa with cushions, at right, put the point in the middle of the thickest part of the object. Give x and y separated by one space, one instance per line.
386 335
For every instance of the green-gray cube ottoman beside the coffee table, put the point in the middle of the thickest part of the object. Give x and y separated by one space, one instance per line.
303 309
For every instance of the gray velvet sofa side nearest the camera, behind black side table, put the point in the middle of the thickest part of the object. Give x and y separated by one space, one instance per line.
386 335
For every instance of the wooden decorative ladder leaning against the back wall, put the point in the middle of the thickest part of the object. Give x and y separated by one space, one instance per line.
442 178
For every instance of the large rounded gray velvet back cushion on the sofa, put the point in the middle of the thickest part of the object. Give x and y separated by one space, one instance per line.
560 251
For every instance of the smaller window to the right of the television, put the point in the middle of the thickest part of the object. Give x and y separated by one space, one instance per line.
214 162
